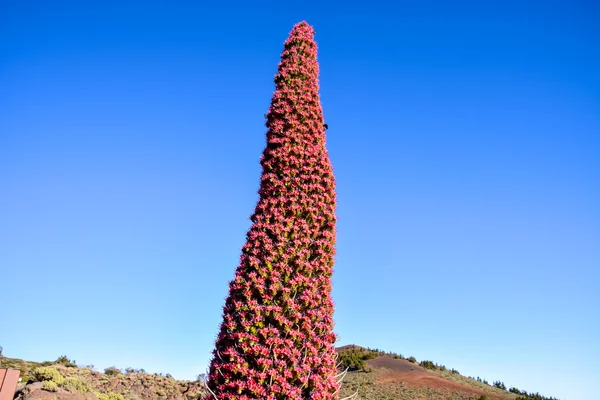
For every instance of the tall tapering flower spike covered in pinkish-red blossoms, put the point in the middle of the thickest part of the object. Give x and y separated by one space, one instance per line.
276 340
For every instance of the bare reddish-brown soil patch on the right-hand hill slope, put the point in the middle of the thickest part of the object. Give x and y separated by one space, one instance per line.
403 371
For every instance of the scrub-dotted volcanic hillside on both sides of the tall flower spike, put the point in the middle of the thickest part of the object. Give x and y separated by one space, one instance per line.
376 375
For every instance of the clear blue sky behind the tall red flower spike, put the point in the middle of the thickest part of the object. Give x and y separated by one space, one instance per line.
465 141
